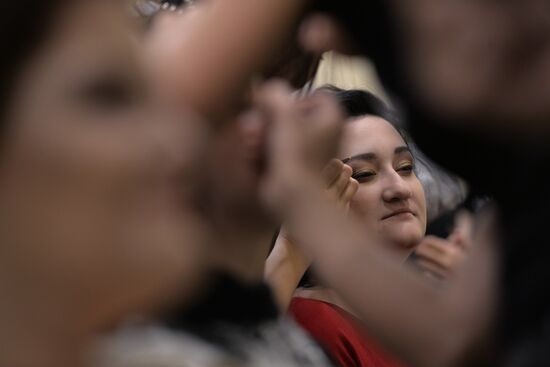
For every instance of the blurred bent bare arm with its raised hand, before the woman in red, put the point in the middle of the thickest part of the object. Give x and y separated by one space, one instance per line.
423 325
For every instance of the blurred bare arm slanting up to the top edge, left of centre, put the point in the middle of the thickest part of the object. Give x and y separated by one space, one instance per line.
207 57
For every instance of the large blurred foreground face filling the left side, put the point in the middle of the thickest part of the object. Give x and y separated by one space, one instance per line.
92 198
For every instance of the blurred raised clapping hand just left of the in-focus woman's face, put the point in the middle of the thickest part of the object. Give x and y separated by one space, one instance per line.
303 135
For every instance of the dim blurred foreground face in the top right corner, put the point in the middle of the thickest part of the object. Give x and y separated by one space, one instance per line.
479 60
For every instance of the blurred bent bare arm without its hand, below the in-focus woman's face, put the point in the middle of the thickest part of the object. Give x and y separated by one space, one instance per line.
426 326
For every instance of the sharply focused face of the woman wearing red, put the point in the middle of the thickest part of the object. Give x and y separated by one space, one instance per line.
390 199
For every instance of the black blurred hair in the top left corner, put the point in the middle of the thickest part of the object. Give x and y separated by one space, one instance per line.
24 27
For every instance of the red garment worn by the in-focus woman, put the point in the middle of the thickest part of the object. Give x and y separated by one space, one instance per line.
336 330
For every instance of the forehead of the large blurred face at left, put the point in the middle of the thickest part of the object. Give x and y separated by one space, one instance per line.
87 37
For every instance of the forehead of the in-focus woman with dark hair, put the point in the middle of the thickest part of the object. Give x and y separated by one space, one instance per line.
369 134
